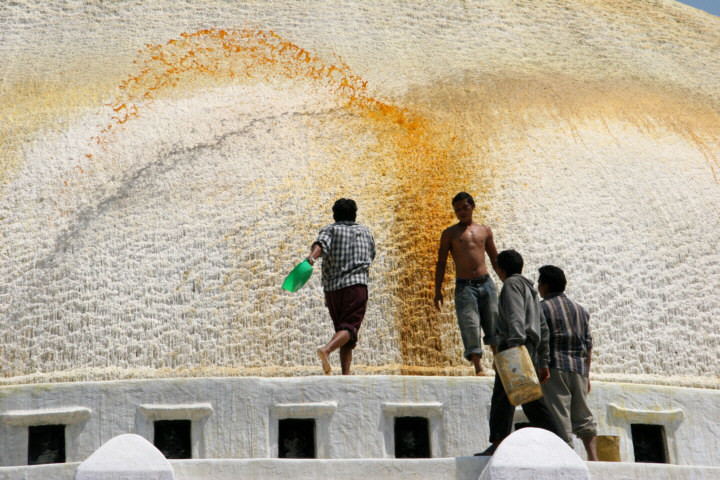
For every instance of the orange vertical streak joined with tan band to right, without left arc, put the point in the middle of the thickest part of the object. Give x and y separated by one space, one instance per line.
455 152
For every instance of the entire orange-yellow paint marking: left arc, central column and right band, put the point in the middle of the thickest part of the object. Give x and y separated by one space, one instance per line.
424 154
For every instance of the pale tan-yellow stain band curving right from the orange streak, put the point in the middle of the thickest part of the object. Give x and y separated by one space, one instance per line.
502 107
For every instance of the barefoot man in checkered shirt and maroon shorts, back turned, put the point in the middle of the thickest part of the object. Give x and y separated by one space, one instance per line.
347 249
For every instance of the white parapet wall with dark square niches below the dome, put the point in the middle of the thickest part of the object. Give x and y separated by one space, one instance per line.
237 418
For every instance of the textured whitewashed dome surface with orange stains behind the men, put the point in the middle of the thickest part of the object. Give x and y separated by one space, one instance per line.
149 210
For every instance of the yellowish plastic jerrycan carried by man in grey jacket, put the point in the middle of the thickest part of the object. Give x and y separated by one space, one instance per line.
518 375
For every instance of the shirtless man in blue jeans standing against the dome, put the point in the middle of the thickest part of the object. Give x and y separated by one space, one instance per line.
476 301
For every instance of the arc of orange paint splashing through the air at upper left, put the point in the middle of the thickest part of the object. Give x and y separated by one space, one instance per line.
243 55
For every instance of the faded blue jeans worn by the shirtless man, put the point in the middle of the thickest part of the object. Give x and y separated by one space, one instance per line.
476 307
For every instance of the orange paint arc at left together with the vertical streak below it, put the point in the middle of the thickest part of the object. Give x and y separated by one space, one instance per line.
426 164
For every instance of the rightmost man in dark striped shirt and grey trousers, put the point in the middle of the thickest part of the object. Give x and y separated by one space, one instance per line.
570 353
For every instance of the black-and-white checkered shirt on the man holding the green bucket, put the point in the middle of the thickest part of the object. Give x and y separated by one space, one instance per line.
348 249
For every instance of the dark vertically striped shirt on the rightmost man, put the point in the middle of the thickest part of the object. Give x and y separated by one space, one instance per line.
570 337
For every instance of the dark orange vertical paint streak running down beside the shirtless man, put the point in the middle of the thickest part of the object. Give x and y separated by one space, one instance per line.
430 165
